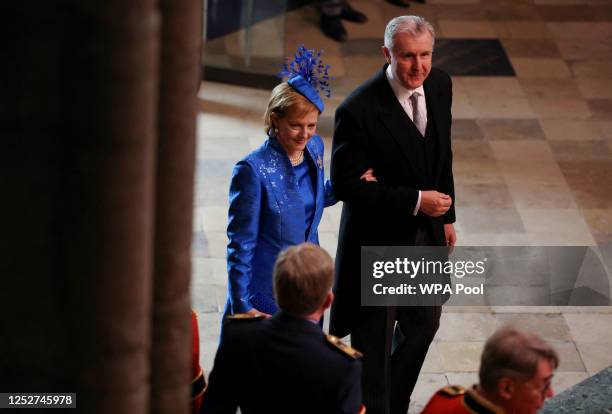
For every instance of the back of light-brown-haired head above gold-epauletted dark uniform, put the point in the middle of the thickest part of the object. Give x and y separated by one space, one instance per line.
303 278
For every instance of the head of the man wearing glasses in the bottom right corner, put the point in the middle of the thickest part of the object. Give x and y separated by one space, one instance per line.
516 370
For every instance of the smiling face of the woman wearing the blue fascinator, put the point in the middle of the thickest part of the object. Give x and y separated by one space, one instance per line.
296 128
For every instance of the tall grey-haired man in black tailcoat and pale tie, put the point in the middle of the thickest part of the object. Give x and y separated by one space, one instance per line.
398 123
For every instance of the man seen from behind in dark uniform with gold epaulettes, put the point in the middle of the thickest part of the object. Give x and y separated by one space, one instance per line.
286 364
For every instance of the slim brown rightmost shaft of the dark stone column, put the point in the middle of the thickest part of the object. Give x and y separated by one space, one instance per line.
179 79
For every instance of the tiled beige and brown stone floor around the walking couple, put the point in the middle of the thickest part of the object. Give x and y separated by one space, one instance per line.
532 162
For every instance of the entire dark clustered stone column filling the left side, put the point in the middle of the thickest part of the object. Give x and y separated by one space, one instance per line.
97 118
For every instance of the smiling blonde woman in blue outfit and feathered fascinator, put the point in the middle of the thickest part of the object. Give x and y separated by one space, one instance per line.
278 192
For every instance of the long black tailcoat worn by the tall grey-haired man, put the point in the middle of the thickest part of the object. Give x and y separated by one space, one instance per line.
372 130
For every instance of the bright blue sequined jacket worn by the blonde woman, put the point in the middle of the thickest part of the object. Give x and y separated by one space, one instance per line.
266 215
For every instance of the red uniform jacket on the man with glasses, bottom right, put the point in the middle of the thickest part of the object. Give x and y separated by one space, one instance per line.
455 399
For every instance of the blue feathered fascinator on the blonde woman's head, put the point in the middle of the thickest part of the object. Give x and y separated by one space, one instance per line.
308 75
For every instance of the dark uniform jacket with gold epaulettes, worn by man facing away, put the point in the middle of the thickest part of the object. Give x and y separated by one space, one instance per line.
281 365
